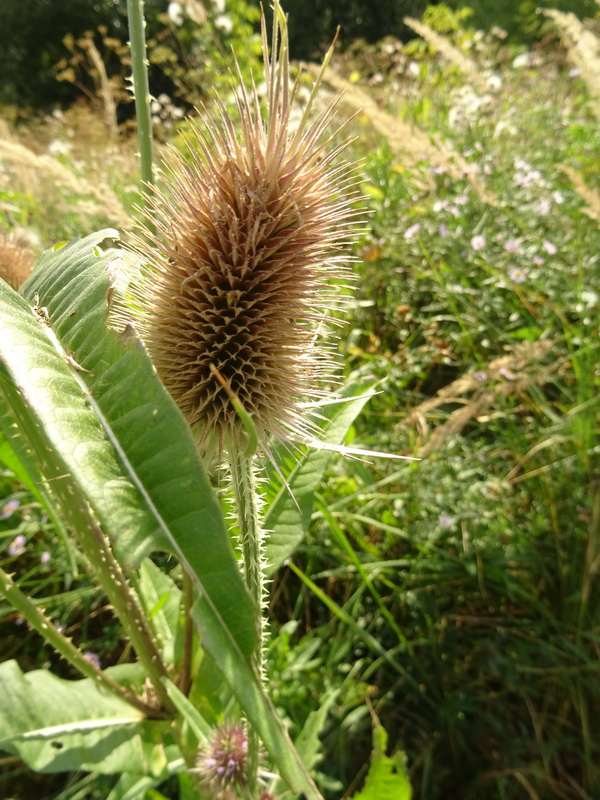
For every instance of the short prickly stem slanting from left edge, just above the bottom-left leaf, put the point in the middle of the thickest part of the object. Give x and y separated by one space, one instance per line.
64 646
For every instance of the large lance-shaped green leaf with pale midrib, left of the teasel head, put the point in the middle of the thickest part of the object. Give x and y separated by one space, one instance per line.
124 441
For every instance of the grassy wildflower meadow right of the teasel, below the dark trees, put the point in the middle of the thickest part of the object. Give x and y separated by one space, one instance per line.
463 584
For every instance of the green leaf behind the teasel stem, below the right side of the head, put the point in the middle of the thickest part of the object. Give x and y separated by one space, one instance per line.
289 508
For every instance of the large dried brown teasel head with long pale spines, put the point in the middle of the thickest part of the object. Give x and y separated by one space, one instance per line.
250 234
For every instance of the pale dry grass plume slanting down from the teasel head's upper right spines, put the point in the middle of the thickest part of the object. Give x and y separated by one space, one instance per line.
407 140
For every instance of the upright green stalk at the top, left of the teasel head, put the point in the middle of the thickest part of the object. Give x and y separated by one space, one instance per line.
141 90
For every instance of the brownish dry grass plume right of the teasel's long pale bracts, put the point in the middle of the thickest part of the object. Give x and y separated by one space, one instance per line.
525 366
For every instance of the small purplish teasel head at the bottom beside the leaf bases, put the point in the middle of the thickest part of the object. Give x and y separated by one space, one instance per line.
222 761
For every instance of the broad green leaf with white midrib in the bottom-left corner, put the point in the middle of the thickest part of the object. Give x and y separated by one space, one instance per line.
55 725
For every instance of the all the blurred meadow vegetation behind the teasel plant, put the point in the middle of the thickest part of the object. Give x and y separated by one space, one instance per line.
460 593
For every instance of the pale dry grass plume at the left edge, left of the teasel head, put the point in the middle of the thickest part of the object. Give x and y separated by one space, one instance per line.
32 166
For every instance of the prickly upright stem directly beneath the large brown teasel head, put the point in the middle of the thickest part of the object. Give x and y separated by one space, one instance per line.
251 541
